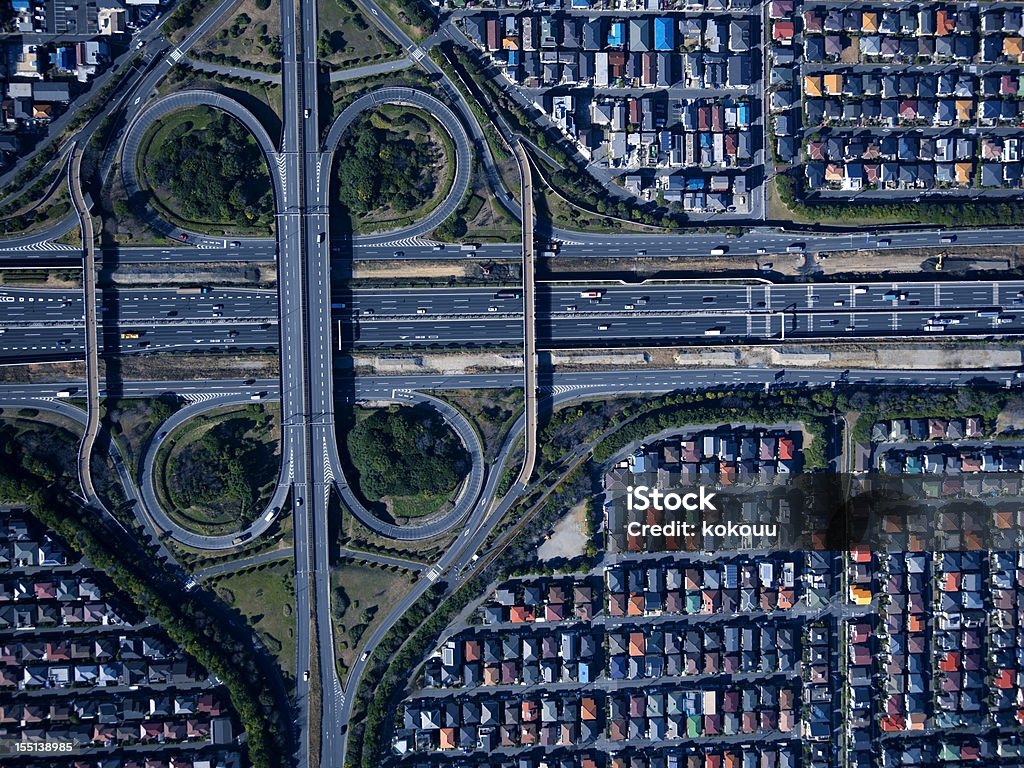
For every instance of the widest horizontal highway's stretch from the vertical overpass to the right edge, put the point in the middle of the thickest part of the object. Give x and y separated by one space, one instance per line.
588 315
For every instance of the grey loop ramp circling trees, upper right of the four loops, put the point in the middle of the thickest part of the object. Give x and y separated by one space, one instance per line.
448 120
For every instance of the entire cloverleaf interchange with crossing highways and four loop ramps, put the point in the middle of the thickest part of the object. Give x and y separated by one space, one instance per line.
301 318
